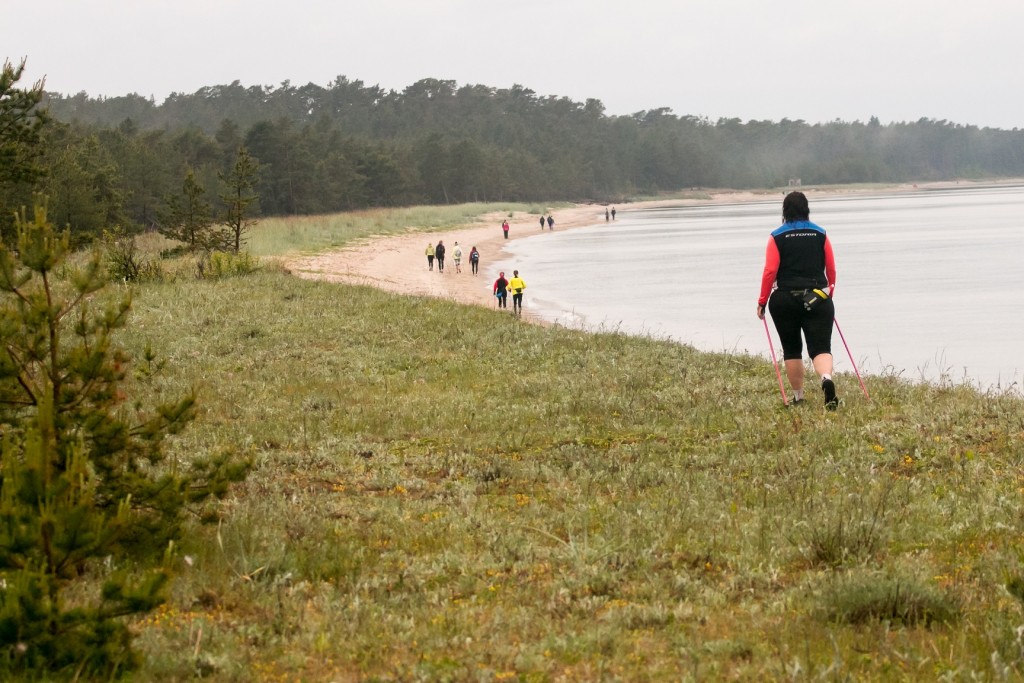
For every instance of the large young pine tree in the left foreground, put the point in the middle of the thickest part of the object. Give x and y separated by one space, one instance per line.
84 483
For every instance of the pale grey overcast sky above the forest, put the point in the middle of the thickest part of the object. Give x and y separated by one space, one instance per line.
813 60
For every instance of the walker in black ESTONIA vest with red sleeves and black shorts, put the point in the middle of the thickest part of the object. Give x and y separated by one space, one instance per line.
799 263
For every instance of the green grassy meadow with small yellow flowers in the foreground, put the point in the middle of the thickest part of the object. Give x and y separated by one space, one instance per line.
443 493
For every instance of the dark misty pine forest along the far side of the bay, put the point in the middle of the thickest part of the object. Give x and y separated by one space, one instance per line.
350 146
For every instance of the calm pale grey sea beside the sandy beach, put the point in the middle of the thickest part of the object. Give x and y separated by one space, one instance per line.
930 284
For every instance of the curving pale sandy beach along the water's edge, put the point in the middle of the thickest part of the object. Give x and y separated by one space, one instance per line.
398 264
